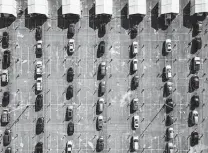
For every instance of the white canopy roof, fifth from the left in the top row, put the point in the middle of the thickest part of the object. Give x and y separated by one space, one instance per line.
137 7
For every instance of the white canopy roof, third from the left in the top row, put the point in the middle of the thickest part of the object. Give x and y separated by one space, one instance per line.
71 7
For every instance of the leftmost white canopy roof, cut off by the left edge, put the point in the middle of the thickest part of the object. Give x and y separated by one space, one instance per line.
8 6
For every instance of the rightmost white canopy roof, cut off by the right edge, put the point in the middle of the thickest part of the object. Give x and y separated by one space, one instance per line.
199 6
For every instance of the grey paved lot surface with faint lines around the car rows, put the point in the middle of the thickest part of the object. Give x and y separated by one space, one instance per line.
117 129
